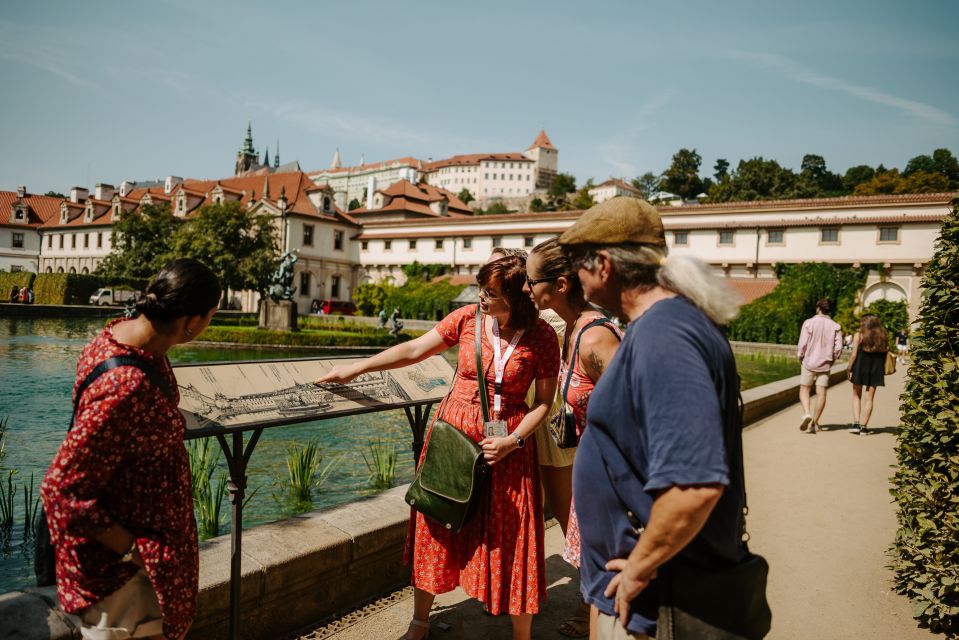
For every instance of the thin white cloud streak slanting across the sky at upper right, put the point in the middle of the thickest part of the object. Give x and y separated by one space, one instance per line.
799 73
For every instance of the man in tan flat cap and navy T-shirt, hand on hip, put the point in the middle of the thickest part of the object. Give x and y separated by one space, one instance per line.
661 421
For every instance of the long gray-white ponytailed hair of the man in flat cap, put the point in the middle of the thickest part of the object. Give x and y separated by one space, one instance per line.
642 266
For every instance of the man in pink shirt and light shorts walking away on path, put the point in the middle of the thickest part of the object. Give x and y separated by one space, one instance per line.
820 343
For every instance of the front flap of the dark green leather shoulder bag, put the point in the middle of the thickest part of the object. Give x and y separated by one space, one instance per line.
449 464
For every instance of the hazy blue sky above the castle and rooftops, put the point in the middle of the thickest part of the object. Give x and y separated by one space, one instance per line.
106 91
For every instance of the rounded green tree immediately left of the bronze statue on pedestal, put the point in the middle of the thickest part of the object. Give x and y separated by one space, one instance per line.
239 246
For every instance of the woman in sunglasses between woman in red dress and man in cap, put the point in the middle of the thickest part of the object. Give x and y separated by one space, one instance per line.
553 286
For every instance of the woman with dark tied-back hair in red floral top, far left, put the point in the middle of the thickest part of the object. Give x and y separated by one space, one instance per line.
118 497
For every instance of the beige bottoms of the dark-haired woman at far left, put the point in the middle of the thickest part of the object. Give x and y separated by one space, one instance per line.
130 612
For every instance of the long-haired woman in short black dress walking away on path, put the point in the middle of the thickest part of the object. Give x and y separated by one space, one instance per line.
867 370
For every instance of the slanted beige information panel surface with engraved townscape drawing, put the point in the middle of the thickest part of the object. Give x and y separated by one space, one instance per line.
231 395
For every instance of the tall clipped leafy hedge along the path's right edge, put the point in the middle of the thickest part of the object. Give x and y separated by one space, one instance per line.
926 484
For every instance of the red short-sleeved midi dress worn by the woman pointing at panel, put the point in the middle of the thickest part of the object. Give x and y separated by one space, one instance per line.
498 557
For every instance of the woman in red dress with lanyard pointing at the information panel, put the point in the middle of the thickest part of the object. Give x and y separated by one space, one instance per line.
498 557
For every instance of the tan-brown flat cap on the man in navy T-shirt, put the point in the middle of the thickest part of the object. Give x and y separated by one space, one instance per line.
617 221
